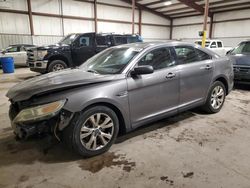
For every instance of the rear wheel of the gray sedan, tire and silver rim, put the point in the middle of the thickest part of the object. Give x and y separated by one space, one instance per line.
216 98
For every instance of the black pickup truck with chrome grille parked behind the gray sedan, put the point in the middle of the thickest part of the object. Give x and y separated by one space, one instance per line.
73 50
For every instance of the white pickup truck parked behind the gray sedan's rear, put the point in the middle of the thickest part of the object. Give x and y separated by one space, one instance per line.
216 46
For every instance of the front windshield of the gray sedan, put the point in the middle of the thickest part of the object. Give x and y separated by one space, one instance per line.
110 61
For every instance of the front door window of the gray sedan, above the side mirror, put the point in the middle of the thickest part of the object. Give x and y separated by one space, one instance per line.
158 59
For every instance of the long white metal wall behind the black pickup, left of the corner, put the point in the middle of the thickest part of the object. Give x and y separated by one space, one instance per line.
14 28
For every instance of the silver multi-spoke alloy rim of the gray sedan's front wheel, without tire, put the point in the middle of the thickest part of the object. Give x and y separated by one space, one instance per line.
97 131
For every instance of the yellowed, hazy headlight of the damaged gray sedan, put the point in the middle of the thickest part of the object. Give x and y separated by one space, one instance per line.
39 113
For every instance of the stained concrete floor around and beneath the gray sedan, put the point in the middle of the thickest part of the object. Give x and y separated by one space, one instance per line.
189 150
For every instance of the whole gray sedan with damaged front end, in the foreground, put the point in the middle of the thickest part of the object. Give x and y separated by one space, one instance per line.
119 90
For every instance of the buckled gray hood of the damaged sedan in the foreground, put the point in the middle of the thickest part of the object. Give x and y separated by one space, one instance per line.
54 81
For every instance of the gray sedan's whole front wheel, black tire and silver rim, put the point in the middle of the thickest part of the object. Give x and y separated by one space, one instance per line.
93 131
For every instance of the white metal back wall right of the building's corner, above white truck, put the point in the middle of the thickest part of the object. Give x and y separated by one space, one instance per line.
230 32
